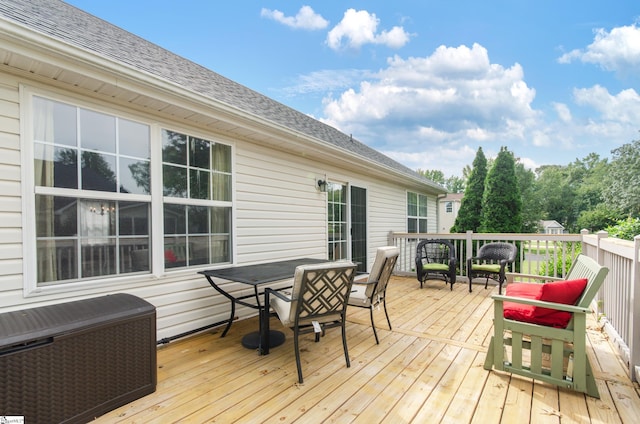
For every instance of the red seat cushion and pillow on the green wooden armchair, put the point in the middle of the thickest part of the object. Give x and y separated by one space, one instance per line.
567 292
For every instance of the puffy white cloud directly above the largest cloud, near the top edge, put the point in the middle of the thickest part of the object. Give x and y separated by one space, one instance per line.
358 28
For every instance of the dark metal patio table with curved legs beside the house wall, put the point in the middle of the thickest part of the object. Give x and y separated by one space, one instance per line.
256 276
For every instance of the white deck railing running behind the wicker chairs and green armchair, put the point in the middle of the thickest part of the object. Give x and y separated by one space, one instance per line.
618 302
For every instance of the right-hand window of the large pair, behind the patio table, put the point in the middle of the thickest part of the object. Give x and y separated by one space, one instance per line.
196 177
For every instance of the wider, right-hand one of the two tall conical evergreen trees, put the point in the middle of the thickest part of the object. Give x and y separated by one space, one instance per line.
502 202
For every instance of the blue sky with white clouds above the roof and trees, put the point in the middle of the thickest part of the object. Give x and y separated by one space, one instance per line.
426 82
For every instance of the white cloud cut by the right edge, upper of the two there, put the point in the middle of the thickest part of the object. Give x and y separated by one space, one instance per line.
617 51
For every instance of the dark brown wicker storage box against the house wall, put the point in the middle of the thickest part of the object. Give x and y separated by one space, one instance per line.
74 361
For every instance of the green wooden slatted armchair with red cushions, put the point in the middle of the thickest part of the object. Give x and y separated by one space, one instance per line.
549 321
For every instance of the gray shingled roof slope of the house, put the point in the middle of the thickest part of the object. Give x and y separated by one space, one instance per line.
76 27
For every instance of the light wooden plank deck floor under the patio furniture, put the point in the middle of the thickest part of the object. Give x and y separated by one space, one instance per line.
427 370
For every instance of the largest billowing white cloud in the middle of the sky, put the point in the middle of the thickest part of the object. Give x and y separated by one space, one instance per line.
456 91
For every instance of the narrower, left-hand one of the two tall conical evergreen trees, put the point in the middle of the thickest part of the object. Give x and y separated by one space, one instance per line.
471 206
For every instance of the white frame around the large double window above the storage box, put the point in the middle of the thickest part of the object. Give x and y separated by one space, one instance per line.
30 285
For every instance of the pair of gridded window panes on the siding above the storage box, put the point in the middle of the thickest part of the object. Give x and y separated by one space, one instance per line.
92 174
